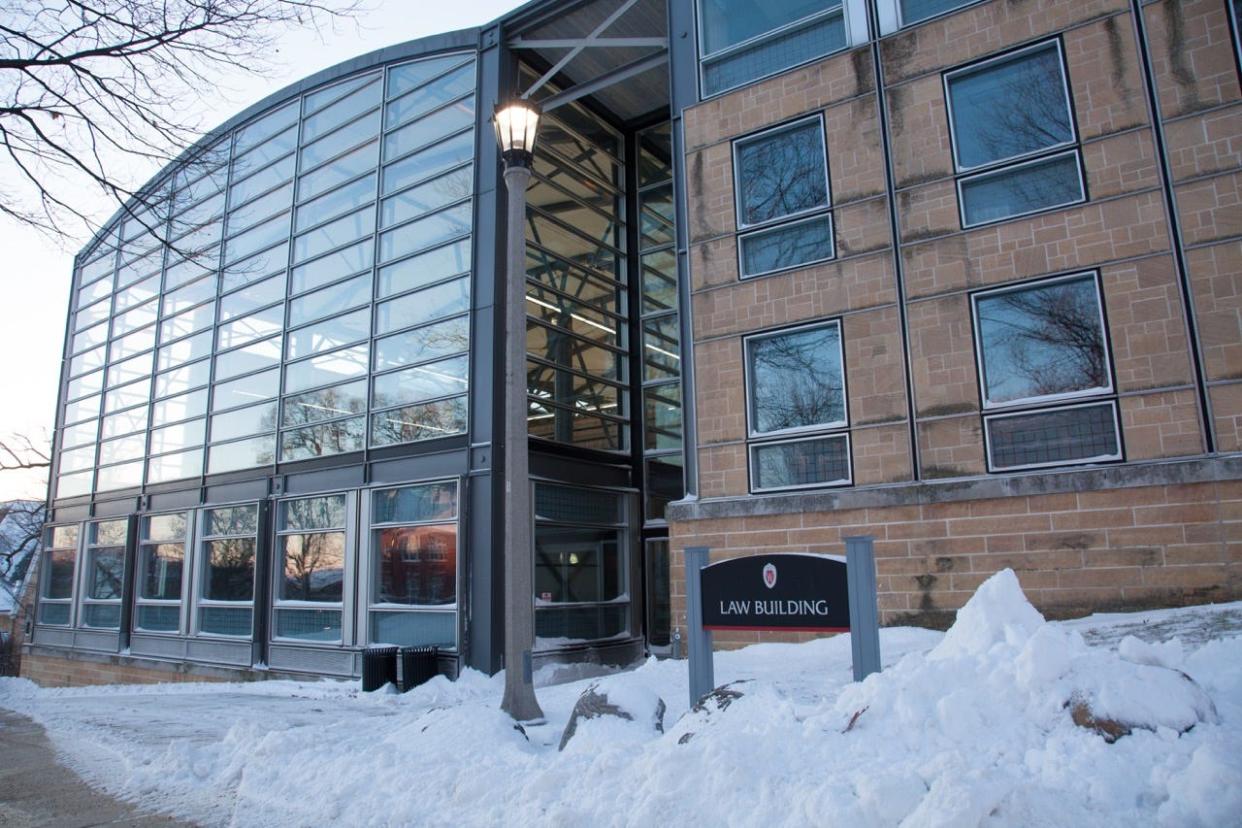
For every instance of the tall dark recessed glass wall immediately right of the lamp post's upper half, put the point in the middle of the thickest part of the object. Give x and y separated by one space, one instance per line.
577 311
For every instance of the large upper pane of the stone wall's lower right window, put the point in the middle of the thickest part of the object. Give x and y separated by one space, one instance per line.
1043 342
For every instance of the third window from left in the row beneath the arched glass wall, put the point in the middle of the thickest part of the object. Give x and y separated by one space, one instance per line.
162 572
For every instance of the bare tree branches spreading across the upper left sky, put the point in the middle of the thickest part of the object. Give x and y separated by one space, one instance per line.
94 91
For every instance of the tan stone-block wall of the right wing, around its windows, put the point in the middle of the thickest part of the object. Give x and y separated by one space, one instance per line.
1162 528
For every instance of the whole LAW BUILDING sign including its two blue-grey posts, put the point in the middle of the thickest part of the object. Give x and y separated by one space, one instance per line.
788 592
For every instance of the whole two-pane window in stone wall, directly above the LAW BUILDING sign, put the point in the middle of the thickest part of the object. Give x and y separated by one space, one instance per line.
796 390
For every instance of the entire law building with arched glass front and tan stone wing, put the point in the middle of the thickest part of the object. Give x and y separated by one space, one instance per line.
963 276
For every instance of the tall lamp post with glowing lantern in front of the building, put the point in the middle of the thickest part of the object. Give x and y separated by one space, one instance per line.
516 125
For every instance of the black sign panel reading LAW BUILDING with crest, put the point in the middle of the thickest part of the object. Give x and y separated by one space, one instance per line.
792 592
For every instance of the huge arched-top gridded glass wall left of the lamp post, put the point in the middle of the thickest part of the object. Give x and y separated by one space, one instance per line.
314 300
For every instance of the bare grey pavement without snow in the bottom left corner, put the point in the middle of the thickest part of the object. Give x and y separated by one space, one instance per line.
37 790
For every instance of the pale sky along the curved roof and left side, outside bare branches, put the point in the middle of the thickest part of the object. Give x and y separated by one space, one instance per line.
35 270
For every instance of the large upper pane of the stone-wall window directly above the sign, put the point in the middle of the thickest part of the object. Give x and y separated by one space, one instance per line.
797 380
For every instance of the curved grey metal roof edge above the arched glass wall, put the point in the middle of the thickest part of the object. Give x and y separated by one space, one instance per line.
429 45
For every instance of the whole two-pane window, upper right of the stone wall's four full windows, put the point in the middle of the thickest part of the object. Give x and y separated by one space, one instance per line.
1014 136
